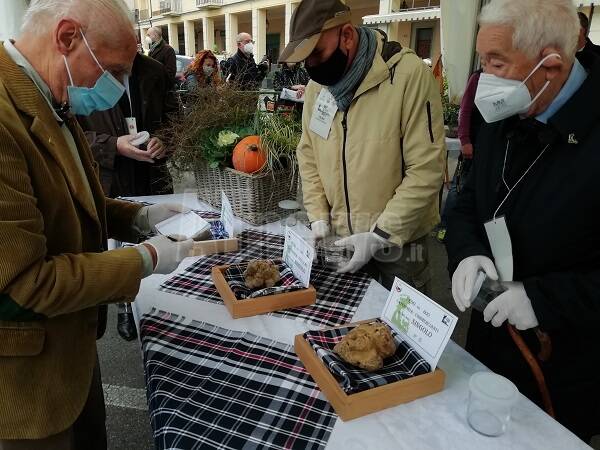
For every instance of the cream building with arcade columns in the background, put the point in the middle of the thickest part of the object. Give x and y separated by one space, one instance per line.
192 25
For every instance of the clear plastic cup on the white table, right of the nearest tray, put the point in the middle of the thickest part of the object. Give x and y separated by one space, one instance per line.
491 399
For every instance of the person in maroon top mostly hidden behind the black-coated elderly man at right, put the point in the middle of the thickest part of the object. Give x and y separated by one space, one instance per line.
469 122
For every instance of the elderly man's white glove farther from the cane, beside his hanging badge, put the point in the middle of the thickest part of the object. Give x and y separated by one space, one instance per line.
465 275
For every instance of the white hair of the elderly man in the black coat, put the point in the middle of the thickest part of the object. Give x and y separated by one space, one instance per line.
536 24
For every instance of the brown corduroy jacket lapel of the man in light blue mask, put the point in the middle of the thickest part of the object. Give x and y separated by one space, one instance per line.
27 99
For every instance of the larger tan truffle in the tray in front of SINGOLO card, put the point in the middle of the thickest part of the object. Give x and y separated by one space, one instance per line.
366 346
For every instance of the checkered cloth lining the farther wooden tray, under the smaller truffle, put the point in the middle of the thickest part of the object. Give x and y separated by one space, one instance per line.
234 276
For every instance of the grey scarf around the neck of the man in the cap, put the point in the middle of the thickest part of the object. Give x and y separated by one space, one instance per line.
344 90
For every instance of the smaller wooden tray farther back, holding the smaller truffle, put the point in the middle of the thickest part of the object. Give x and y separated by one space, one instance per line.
261 305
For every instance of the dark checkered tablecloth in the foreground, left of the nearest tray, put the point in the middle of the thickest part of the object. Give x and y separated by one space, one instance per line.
211 388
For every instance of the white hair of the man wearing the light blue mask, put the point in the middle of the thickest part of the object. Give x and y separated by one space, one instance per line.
94 16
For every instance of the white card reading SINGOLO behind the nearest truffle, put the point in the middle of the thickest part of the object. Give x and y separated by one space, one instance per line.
424 324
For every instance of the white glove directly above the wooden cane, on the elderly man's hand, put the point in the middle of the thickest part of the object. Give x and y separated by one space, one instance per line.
513 305
